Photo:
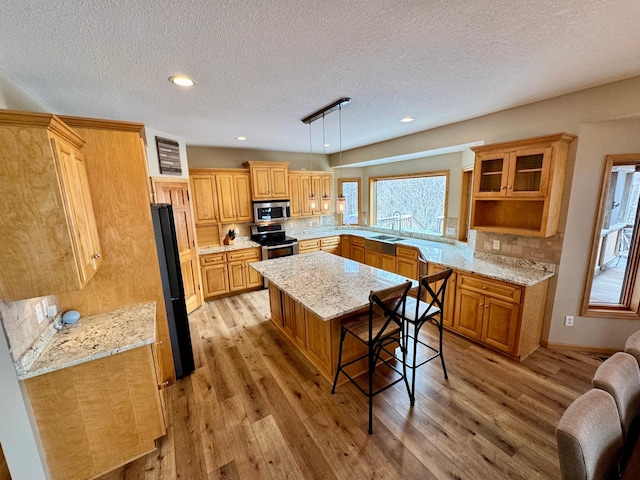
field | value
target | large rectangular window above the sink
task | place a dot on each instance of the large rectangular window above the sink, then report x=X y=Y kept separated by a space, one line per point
x=415 y=203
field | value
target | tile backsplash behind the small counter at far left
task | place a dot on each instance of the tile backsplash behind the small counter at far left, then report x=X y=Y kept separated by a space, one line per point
x=21 y=323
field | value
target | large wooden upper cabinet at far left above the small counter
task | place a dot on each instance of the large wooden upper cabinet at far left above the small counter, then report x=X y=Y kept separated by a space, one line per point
x=50 y=241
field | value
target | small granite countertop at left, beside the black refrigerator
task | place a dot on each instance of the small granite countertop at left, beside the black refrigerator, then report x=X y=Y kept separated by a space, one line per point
x=93 y=337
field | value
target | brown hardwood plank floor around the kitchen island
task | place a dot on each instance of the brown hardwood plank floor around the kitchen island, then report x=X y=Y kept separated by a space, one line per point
x=256 y=409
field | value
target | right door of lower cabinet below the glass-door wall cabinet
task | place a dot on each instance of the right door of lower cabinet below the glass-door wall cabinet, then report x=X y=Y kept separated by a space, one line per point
x=500 y=324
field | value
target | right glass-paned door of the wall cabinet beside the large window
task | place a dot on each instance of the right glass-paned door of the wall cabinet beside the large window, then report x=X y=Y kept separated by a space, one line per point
x=529 y=173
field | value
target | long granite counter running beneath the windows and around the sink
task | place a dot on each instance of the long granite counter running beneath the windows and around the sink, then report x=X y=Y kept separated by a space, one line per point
x=458 y=256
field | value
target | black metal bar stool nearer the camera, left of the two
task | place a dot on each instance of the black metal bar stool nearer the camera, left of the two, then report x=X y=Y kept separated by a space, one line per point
x=378 y=328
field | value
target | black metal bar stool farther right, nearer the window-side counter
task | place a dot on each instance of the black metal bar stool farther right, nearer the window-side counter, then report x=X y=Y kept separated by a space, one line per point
x=428 y=306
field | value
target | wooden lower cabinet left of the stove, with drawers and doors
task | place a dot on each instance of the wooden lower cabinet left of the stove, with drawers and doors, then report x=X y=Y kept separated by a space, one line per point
x=229 y=272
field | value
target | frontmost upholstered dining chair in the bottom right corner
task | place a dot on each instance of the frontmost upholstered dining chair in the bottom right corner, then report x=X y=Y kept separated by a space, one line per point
x=590 y=438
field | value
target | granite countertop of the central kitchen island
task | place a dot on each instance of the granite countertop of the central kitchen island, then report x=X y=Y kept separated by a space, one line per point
x=327 y=285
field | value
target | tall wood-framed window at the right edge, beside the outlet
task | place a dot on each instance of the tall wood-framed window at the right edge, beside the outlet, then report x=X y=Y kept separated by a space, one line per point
x=612 y=287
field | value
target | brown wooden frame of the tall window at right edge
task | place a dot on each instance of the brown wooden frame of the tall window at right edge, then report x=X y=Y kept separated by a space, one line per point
x=629 y=308
